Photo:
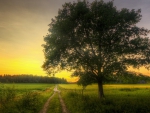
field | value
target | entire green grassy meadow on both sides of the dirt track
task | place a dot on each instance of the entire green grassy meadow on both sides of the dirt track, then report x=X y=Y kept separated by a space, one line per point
x=119 y=98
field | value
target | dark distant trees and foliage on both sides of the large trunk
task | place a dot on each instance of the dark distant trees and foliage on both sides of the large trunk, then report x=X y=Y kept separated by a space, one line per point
x=125 y=78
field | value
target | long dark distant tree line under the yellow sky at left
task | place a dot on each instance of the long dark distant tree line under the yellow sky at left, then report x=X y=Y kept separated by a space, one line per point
x=30 y=79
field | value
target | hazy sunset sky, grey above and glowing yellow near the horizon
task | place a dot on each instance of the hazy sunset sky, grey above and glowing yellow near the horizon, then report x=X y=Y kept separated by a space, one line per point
x=23 y=23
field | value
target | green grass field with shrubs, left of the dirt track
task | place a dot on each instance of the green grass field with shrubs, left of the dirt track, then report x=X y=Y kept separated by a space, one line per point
x=24 y=98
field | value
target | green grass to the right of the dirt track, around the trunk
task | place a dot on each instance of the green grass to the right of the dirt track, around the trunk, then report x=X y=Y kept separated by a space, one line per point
x=118 y=99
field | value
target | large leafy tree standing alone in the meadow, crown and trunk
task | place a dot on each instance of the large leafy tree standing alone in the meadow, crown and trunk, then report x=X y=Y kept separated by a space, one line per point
x=96 y=39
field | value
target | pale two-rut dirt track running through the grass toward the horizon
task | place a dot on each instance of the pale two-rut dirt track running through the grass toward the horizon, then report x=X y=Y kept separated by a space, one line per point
x=45 y=108
